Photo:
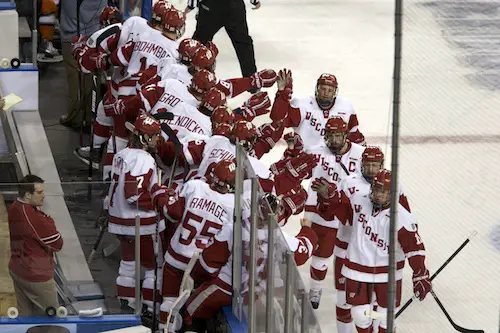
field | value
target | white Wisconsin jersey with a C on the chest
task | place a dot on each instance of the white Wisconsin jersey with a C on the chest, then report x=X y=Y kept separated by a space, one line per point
x=331 y=167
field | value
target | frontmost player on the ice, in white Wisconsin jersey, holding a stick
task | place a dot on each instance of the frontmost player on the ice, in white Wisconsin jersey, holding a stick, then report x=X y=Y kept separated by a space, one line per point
x=365 y=269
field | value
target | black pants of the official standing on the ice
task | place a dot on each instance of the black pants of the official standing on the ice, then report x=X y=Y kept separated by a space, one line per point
x=230 y=14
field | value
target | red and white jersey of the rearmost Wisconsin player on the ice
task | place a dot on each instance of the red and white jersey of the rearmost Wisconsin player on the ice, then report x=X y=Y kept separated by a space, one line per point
x=309 y=120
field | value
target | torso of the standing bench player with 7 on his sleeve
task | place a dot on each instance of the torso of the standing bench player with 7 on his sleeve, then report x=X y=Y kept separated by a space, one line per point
x=129 y=162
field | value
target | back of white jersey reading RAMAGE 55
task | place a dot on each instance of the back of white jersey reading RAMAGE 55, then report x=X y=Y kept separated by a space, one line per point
x=206 y=211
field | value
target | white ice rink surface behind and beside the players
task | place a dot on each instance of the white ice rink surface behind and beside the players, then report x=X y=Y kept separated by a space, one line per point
x=449 y=127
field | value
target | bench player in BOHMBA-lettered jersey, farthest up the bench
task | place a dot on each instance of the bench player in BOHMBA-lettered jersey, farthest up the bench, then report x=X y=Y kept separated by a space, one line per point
x=123 y=81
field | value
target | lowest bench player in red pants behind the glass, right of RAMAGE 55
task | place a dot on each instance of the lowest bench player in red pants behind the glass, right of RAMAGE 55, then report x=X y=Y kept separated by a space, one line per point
x=213 y=271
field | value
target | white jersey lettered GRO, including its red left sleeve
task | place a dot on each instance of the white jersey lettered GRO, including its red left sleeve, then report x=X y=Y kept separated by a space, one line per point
x=165 y=95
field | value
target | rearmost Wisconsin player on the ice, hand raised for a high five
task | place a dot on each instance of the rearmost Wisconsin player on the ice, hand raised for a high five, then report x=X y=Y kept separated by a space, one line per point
x=308 y=116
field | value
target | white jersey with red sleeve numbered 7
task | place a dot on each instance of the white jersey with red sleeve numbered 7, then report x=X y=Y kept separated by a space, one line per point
x=133 y=176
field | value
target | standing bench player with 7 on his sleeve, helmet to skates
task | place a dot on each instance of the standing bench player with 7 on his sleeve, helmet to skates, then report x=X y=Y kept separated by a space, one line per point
x=134 y=190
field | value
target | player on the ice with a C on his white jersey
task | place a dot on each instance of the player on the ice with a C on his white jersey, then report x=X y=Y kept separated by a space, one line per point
x=339 y=159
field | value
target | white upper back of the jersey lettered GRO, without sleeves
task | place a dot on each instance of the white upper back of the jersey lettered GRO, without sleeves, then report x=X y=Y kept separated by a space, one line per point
x=174 y=92
